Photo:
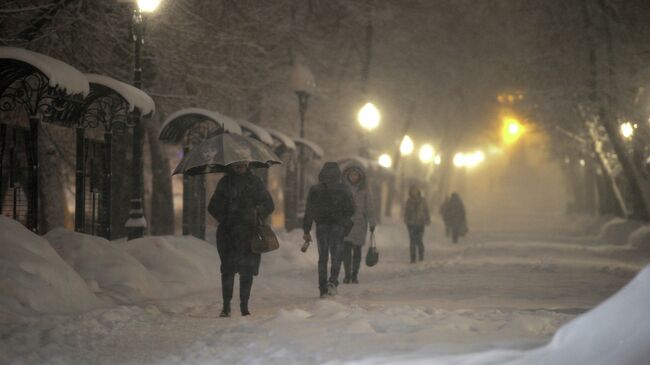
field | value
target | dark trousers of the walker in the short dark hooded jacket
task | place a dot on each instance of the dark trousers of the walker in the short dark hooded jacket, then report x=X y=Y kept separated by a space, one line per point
x=330 y=244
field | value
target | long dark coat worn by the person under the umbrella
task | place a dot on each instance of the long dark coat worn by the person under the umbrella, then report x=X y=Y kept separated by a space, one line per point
x=235 y=204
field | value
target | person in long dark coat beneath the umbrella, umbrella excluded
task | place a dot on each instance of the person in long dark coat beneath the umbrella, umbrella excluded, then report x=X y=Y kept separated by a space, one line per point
x=239 y=201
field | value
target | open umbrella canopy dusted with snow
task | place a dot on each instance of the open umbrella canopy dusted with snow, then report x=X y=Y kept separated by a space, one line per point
x=216 y=153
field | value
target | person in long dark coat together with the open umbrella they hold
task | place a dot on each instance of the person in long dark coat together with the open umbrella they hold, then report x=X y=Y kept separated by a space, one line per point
x=239 y=203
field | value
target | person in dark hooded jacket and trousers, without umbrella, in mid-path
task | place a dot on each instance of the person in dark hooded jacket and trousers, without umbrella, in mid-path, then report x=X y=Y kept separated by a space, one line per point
x=330 y=205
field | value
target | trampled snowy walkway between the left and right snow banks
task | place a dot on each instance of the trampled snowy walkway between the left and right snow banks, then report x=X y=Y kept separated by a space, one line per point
x=508 y=295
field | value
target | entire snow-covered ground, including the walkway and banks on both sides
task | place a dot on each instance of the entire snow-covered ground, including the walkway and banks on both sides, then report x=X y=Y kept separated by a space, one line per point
x=490 y=300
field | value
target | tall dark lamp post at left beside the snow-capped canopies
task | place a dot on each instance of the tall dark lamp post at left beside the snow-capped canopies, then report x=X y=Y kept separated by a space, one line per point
x=136 y=224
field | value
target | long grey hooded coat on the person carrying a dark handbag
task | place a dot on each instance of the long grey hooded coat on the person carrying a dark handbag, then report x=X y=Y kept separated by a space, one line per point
x=364 y=214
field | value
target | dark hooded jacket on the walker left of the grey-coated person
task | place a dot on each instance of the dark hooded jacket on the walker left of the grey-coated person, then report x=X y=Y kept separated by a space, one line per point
x=329 y=201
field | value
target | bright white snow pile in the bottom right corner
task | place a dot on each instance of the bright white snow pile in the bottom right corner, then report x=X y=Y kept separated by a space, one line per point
x=615 y=332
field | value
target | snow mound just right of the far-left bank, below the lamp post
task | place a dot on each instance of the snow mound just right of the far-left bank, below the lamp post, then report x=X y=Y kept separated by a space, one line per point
x=108 y=269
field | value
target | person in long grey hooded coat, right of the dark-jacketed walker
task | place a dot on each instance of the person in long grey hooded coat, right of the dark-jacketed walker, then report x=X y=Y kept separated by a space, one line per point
x=363 y=219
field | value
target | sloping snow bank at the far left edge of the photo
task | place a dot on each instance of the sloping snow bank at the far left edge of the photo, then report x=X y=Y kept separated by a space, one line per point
x=33 y=278
